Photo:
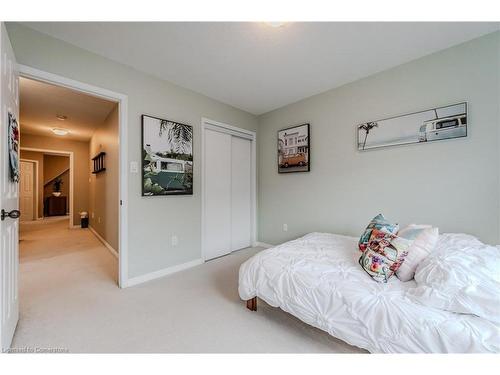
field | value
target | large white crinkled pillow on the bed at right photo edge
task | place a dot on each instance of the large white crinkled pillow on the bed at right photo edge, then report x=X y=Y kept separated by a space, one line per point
x=463 y=277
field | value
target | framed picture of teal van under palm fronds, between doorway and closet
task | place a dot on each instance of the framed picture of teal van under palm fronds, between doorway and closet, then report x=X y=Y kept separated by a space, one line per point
x=167 y=157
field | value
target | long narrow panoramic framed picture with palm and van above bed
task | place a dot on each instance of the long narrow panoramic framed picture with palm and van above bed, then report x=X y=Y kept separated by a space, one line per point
x=425 y=126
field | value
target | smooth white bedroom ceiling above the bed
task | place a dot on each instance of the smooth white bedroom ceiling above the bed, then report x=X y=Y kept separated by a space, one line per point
x=256 y=67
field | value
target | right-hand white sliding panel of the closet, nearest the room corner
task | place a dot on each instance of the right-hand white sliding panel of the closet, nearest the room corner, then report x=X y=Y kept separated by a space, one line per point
x=241 y=189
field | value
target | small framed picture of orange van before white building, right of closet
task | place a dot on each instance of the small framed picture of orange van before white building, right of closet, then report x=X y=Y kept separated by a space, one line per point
x=294 y=149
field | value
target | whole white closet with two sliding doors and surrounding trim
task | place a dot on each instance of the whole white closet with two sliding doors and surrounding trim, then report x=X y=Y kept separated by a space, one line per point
x=228 y=189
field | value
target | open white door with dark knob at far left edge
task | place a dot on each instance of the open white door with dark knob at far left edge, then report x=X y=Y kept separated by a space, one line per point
x=9 y=192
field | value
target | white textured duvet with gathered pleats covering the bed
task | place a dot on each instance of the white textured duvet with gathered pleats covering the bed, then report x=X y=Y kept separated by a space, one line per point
x=317 y=278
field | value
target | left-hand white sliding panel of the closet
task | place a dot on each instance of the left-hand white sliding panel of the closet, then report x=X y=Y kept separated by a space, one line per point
x=217 y=194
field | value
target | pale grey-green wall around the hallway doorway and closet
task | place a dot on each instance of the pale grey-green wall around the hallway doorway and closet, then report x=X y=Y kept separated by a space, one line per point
x=152 y=220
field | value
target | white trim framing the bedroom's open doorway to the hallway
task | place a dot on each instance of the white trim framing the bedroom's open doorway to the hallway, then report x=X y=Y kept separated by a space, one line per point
x=122 y=100
